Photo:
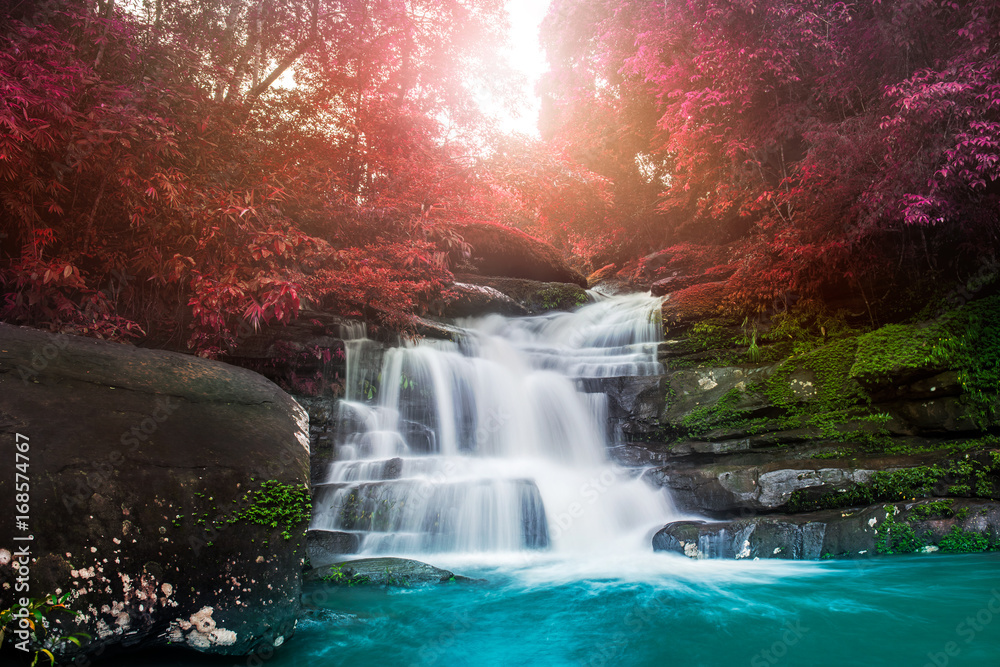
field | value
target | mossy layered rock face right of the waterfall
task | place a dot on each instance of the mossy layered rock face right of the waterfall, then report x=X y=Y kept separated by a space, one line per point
x=761 y=430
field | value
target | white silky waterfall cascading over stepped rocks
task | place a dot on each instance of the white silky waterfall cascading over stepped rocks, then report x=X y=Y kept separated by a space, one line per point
x=489 y=444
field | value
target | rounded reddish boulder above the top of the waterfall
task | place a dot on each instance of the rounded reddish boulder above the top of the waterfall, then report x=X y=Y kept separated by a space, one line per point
x=504 y=251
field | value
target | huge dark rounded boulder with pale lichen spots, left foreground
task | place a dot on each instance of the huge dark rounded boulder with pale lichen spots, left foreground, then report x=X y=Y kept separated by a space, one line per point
x=151 y=476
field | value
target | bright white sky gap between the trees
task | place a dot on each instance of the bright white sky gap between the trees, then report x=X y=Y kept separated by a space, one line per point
x=527 y=58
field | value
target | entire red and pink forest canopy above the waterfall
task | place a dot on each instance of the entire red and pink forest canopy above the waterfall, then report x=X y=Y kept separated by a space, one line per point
x=170 y=169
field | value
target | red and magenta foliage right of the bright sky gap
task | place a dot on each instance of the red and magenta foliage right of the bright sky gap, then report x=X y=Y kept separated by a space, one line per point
x=837 y=141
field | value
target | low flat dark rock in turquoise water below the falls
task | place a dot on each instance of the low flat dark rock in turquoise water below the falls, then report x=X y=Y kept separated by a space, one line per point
x=385 y=571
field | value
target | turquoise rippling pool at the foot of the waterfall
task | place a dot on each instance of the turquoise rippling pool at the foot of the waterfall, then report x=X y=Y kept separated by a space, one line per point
x=666 y=610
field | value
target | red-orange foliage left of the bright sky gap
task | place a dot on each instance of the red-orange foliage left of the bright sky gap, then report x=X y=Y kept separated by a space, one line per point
x=152 y=180
